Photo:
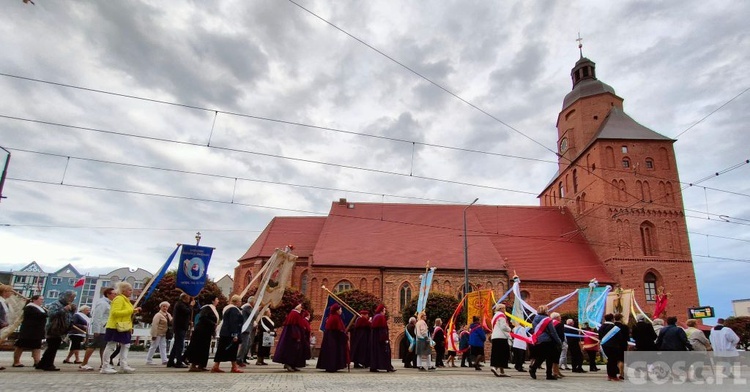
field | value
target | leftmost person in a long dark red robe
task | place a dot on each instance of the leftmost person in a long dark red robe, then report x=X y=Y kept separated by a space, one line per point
x=294 y=341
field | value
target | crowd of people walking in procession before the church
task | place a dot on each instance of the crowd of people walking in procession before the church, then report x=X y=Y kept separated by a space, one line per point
x=549 y=343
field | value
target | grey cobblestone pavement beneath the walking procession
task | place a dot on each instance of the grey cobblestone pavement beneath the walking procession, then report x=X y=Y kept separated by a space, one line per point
x=275 y=378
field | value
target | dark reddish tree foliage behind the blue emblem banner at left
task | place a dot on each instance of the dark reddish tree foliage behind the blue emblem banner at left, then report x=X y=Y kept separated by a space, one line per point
x=167 y=291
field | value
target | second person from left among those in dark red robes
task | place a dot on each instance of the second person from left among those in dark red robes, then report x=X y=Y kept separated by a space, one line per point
x=334 y=350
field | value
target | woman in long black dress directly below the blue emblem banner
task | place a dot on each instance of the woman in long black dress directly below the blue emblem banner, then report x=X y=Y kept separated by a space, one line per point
x=205 y=330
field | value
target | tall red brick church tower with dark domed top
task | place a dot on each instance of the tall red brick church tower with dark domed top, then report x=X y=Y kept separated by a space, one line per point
x=619 y=180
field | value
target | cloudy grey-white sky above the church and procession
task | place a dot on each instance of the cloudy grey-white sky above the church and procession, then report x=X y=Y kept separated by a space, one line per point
x=135 y=124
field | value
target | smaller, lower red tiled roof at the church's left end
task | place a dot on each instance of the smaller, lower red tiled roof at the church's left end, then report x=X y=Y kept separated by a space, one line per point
x=301 y=232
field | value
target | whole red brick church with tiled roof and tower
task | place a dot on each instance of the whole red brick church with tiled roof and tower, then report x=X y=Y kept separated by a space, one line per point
x=613 y=211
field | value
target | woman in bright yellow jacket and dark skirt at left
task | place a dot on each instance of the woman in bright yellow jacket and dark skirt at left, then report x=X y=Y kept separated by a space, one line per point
x=120 y=328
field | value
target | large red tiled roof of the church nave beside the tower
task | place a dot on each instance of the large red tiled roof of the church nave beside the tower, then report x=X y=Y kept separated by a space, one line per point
x=539 y=243
